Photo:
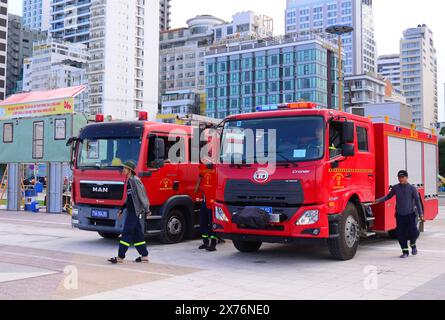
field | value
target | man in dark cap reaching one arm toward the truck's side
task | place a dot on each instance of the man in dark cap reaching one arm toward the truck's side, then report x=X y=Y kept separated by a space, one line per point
x=408 y=199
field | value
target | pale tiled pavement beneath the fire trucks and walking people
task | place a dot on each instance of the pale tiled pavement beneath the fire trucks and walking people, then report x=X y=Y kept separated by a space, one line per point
x=35 y=250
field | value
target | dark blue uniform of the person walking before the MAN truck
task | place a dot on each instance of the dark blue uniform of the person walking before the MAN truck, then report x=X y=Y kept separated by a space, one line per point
x=133 y=233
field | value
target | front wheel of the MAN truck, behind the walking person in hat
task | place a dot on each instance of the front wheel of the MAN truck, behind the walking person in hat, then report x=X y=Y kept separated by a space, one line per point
x=173 y=227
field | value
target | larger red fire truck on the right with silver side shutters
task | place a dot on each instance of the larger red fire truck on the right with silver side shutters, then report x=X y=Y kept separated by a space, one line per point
x=330 y=166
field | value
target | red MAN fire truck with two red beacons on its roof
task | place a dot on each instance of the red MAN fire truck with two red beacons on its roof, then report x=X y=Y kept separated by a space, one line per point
x=99 y=189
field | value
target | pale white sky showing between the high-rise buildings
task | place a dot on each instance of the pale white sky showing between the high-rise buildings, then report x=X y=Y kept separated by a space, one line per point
x=391 y=17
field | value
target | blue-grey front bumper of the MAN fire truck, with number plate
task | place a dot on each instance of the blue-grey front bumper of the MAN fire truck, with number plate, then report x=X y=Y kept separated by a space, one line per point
x=97 y=219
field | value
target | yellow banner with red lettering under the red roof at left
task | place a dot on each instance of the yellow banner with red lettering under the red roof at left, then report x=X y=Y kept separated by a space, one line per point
x=37 y=109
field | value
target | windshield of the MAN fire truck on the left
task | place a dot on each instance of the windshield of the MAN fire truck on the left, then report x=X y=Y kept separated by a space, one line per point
x=107 y=153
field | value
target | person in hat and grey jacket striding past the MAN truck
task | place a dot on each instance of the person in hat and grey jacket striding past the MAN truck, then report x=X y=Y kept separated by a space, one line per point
x=137 y=206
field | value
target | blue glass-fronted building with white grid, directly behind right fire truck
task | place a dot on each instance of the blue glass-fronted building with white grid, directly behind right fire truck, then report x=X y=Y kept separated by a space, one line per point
x=243 y=75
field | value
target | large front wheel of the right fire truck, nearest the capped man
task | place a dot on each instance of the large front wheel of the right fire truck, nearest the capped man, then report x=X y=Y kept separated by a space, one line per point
x=344 y=247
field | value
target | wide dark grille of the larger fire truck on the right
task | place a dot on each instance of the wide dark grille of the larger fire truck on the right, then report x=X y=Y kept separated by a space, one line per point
x=275 y=192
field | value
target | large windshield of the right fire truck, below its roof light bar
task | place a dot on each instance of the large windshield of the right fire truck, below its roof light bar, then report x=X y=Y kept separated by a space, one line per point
x=292 y=139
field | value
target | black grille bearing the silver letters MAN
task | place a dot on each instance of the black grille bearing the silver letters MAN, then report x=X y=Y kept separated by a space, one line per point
x=112 y=191
